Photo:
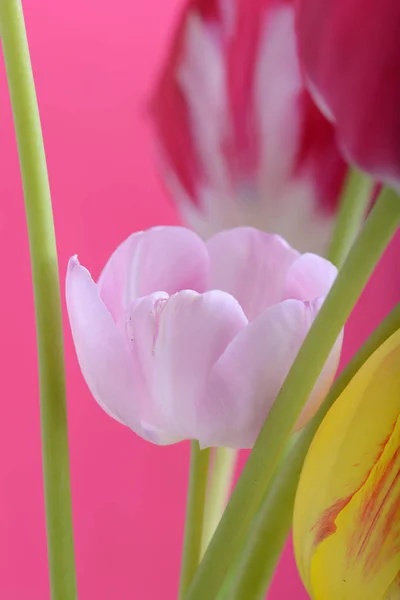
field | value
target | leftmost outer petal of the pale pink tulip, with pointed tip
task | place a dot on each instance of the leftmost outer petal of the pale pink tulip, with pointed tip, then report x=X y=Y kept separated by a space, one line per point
x=110 y=371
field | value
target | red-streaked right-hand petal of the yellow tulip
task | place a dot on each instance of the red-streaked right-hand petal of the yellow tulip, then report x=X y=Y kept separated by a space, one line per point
x=364 y=552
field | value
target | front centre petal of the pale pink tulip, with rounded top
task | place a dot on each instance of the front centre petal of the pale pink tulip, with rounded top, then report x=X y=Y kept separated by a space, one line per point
x=194 y=330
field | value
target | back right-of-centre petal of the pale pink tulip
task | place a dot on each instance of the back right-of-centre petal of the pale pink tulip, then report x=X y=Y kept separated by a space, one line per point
x=251 y=265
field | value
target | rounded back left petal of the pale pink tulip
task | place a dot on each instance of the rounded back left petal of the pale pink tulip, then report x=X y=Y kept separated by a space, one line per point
x=165 y=259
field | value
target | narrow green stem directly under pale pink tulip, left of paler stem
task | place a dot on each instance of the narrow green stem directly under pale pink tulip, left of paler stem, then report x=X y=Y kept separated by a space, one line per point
x=199 y=461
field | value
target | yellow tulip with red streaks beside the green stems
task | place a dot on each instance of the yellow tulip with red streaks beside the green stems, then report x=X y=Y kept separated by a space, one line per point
x=347 y=510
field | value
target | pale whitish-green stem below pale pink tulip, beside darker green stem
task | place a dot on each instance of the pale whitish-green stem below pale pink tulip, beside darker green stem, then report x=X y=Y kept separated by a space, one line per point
x=221 y=472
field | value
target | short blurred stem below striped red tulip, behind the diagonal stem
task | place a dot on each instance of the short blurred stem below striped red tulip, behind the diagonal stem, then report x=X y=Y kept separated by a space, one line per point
x=353 y=208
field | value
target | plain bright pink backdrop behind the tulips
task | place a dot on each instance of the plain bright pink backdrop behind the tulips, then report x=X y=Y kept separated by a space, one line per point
x=94 y=63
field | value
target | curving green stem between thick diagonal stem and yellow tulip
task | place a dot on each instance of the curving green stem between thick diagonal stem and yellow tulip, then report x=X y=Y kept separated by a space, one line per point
x=270 y=528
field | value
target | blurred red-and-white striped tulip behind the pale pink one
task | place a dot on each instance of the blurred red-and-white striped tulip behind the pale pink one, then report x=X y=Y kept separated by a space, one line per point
x=240 y=140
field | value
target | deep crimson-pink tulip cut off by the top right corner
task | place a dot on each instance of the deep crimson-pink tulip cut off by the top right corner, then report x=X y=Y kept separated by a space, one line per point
x=351 y=55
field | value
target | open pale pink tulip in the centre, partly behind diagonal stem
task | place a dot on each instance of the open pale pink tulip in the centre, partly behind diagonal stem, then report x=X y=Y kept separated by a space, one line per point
x=182 y=339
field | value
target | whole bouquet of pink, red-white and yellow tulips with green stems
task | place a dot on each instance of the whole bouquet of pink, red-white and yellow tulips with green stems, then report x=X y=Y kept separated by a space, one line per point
x=277 y=129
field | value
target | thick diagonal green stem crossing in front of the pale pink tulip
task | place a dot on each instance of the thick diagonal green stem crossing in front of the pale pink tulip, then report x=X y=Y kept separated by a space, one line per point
x=246 y=498
